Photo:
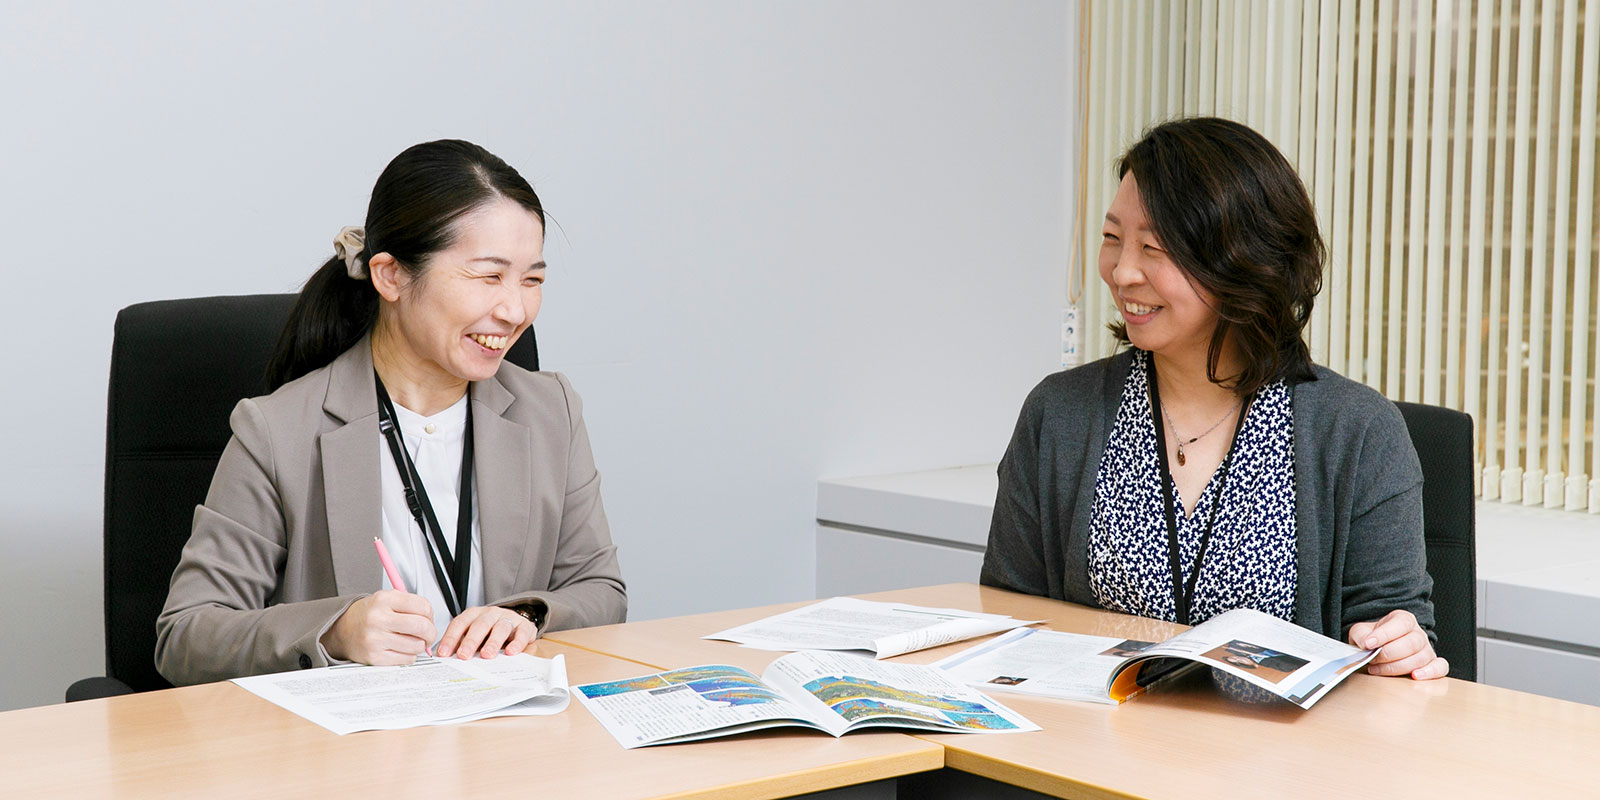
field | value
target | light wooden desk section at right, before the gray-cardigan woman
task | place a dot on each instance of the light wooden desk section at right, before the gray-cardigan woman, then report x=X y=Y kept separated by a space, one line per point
x=1369 y=737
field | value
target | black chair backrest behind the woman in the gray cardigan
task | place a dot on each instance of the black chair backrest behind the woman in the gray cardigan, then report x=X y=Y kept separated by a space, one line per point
x=1444 y=446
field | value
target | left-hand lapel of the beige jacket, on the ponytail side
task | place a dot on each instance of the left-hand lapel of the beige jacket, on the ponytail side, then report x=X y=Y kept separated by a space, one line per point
x=350 y=471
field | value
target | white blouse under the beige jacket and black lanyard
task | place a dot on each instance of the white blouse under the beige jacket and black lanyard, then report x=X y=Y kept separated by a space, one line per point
x=434 y=444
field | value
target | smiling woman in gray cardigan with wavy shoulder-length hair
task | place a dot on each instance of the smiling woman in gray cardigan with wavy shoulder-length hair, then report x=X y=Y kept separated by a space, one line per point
x=1212 y=466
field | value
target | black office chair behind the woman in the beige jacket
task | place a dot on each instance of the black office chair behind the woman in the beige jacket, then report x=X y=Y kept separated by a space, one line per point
x=177 y=372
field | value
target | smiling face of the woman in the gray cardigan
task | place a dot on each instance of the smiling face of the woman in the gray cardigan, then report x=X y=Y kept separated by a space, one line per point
x=1164 y=310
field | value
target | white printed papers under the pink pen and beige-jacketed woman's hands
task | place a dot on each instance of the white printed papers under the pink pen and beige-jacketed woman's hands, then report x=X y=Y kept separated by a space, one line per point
x=431 y=692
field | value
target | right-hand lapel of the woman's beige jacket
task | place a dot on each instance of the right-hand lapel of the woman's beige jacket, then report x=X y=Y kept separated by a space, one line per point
x=503 y=468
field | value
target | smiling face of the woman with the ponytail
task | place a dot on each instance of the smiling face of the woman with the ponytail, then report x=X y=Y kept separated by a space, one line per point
x=473 y=300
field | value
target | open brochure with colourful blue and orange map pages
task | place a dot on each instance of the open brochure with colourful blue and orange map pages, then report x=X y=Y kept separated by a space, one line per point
x=830 y=692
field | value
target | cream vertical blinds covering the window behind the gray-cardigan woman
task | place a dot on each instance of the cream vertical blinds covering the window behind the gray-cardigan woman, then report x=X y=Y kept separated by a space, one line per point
x=1450 y=153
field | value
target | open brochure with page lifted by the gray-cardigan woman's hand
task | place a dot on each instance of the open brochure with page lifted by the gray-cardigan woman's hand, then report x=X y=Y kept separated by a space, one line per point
x=1263 y=650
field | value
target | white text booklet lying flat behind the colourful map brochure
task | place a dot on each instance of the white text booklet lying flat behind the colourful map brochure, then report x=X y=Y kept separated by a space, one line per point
x=882 y=630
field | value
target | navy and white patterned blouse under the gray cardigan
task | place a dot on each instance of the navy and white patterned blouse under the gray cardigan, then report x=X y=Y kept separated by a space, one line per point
x=1250 y=562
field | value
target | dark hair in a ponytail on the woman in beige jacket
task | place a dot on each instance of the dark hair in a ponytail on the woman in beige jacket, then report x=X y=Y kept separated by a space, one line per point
x=412 y=215
